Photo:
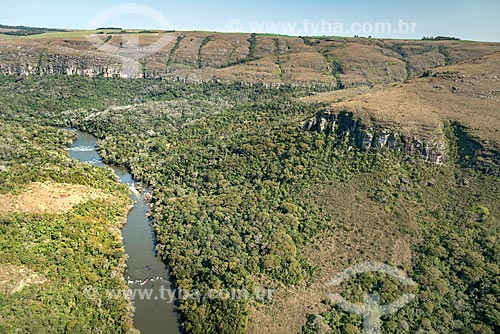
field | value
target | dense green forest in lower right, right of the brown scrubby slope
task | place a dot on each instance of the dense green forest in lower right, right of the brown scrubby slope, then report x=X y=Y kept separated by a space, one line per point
x=456 y=258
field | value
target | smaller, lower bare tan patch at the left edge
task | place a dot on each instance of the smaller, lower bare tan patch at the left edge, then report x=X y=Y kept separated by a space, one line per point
x=14 y=278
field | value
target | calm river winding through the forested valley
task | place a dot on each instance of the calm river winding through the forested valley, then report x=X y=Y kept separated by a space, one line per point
x=146 y=273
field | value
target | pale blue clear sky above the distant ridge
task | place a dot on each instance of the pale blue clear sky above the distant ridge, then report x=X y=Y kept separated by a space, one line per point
x=468 y=20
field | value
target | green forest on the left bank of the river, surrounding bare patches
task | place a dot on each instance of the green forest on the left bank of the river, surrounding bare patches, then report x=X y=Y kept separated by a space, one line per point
x=76 y=251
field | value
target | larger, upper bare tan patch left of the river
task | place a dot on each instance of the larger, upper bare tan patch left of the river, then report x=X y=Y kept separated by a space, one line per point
x=48 y=197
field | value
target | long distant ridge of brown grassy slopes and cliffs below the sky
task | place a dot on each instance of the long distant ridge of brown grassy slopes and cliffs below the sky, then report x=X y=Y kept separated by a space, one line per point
x=249 y=58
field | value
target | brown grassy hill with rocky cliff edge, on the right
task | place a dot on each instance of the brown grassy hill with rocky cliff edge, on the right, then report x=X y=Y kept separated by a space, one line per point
x=448 y=114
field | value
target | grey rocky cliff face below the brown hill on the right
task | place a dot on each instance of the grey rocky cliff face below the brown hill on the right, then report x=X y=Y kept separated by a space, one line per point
x=344 y=126
